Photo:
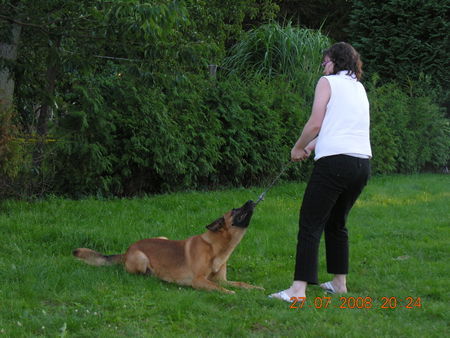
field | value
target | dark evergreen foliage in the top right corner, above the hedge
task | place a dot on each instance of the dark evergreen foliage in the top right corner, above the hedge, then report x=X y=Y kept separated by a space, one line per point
x=400 y=39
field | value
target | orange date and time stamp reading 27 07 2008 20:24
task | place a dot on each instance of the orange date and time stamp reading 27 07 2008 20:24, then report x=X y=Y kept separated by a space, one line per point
x=357 y=303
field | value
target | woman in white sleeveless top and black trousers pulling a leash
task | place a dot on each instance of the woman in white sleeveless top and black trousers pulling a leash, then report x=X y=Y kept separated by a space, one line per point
x=338 y=132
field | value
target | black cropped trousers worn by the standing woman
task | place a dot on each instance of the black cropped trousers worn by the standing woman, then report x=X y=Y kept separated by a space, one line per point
x=335 y=184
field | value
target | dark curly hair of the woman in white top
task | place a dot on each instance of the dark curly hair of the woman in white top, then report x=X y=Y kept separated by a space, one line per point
x=345 y=57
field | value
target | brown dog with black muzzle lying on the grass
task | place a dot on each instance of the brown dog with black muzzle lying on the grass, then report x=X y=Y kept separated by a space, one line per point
x=199 y=261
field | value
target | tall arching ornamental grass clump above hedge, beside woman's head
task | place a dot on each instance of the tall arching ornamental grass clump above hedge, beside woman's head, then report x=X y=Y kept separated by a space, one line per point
x=274 y=50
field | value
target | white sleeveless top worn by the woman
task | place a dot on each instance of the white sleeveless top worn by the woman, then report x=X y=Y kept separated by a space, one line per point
x=345 y=128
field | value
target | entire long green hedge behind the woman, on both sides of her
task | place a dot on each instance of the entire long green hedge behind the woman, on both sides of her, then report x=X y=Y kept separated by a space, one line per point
x=198 y=133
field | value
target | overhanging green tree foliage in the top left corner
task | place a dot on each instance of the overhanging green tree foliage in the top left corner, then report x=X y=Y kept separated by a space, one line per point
x=62 y=39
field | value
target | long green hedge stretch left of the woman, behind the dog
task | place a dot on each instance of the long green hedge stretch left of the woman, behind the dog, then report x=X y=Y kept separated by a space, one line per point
x=192 y=132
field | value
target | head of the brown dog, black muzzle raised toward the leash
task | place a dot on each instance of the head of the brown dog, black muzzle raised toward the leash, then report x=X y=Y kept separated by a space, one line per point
x=238 y=219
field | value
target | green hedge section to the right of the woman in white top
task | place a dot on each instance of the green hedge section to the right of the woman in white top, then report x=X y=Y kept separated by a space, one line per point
x=408 y=132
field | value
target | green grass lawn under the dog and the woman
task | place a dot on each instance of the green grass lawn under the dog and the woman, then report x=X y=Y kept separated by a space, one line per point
x=399 y=247
